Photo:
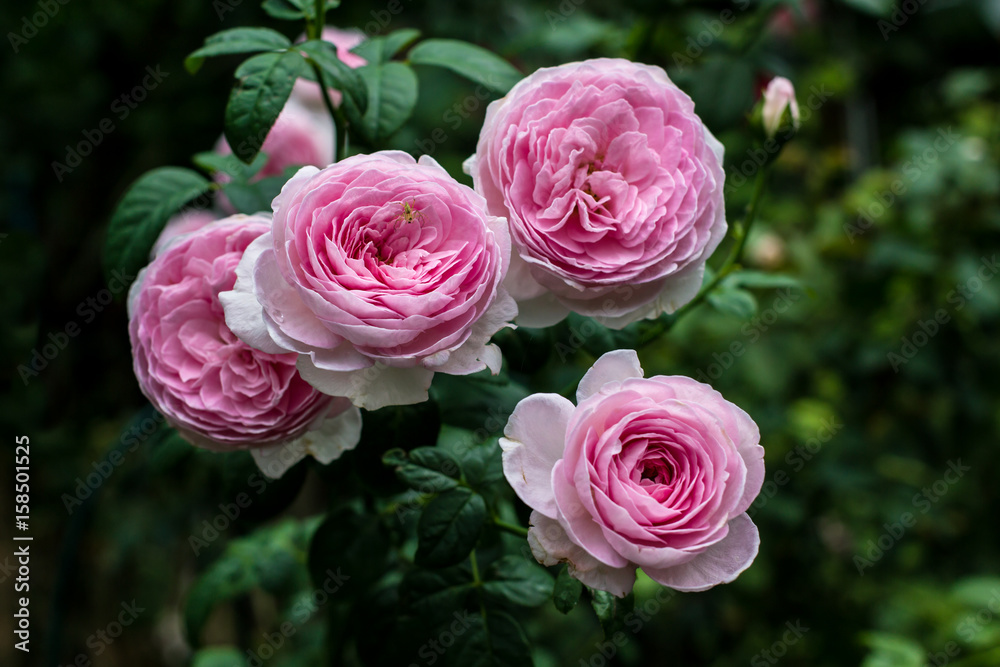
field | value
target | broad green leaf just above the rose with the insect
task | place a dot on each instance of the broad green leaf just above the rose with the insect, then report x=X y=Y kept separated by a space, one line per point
x=392 y=96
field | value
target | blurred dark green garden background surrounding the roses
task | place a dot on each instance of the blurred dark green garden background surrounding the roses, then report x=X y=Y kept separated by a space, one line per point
x=876 y=388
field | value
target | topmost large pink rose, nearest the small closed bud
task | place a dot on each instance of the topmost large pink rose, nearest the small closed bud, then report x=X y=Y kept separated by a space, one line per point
x=613 y=189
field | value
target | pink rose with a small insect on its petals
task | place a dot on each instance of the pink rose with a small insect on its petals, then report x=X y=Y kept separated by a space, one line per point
x=379 y=271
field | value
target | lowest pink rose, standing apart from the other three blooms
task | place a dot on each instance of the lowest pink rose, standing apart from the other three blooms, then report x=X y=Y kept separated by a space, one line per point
x=654 y=473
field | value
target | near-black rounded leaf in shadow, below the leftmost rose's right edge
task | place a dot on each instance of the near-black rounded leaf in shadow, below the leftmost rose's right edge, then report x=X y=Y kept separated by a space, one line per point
x=348 y=551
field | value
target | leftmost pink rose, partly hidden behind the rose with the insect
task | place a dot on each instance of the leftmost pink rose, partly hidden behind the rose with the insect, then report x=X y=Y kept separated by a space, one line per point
x=216 y=390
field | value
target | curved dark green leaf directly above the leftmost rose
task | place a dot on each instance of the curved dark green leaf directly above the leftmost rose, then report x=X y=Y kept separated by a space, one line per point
x=142 y=213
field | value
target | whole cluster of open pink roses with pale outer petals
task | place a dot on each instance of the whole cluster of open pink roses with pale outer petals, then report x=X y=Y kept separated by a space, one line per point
x=598 y=190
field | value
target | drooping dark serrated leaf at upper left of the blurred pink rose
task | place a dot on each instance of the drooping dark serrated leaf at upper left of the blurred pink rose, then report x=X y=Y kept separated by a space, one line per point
x=264 y=84
